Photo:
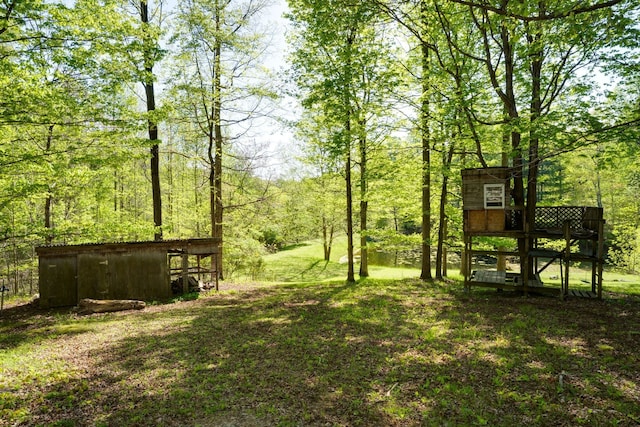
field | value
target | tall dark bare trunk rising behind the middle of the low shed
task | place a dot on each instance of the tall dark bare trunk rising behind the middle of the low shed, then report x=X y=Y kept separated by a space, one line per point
x=151 y=124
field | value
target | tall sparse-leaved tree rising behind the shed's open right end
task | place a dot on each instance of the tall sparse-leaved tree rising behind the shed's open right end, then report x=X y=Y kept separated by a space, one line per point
x=215 y=81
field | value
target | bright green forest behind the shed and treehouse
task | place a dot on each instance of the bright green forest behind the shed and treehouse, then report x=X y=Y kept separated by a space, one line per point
x=131 y=121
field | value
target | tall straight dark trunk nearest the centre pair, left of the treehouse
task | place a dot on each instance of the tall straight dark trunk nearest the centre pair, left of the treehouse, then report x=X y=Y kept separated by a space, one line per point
x=426 y=164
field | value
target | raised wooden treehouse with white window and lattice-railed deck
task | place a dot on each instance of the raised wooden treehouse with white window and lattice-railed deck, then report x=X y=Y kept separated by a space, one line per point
x=558 y=234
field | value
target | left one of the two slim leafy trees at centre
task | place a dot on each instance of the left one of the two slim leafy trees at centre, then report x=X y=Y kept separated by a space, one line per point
x=323 y=63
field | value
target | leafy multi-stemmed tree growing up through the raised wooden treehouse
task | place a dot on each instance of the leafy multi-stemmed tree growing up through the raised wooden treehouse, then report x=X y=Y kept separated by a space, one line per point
x=531 y=53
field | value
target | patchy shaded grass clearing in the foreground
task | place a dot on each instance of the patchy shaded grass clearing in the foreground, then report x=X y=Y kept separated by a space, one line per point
x=376 y=353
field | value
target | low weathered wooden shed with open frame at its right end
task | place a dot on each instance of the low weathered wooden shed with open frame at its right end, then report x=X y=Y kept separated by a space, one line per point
x=125 y=270
